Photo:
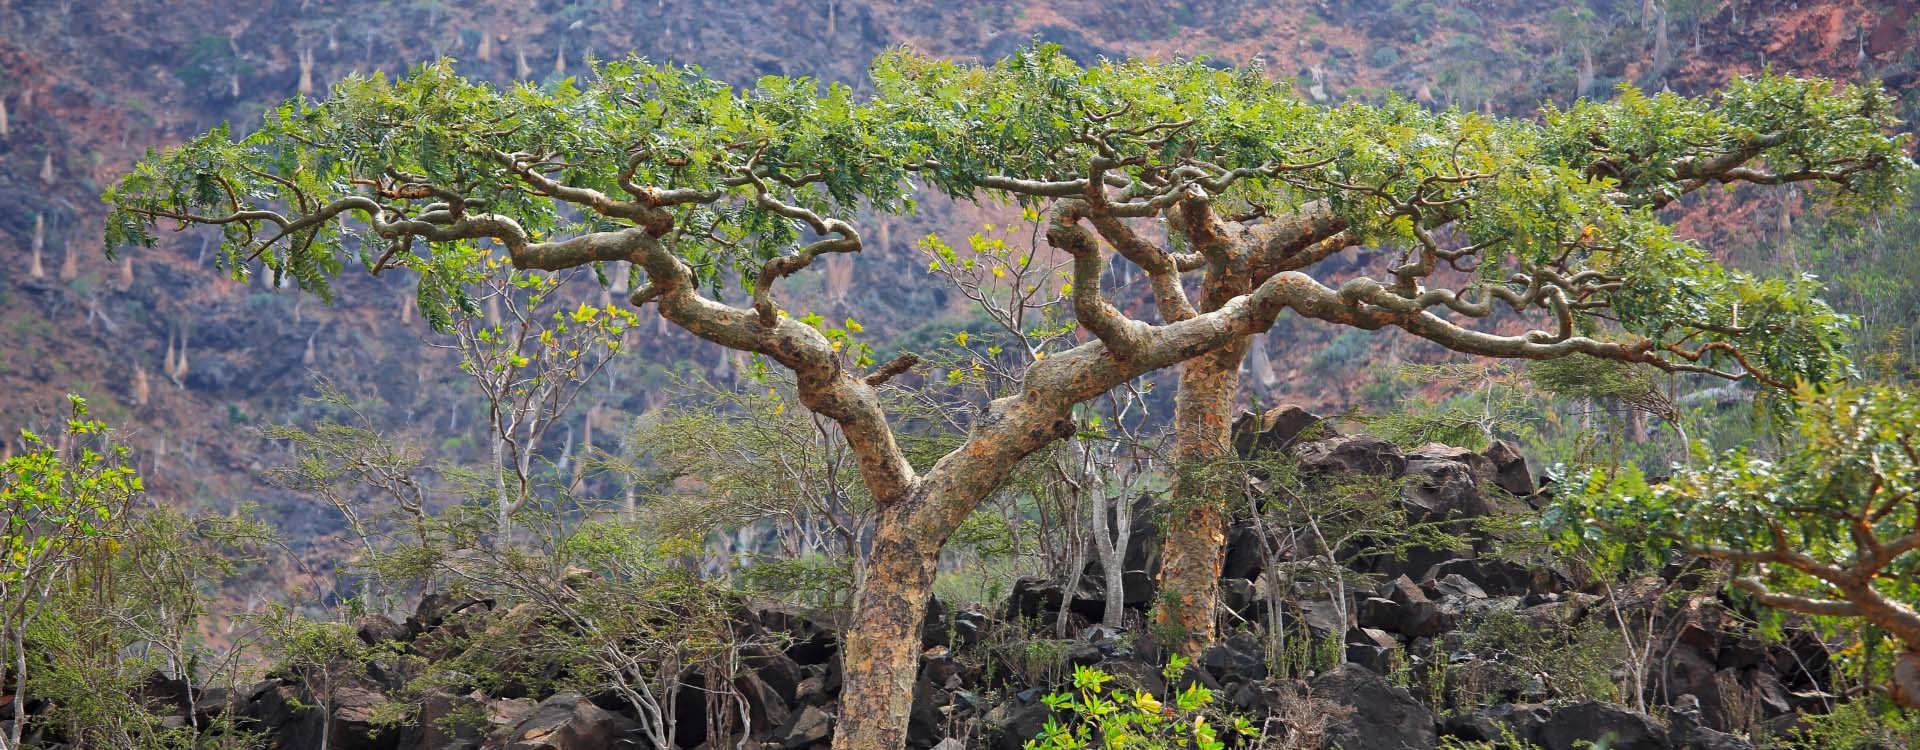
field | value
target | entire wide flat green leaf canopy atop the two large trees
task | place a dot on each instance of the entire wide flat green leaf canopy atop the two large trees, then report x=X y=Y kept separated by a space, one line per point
x=435 y=166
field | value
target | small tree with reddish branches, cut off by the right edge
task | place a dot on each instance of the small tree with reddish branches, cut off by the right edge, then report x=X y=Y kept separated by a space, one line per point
x=1829 y=530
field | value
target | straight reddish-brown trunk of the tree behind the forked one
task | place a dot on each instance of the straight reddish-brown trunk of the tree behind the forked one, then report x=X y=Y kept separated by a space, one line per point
x=1197 y=540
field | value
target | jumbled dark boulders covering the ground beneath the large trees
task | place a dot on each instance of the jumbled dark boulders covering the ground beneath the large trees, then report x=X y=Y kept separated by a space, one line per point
x=1447 y=645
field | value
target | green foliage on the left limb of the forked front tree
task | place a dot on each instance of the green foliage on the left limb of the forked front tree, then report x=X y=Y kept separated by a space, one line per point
x=631 y=122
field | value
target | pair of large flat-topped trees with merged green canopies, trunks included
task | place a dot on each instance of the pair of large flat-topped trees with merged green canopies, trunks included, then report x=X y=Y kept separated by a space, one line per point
x=706 y=193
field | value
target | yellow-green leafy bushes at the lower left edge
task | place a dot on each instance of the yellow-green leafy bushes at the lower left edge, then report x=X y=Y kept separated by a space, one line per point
x=110 y=596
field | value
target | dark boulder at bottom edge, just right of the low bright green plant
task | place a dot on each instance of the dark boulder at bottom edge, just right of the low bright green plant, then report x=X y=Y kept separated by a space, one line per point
x=1385 y=718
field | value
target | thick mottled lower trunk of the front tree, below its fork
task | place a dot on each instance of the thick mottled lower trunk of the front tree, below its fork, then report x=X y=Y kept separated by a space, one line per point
x=882 y=651
